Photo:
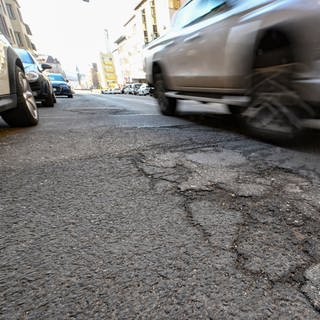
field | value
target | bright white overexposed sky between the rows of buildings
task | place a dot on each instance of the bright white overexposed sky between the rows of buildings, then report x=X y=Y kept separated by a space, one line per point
x=73 y=30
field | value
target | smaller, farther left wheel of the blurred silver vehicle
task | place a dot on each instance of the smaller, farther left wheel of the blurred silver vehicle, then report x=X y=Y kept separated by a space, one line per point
x=167 y=105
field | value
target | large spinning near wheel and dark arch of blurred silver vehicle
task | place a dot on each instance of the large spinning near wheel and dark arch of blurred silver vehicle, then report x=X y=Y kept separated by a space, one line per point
x=275 y=110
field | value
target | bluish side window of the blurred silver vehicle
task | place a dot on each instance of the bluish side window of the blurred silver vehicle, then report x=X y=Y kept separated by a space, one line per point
x=197 y=10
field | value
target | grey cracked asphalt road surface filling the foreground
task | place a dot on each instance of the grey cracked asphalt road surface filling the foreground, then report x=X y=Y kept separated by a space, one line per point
x=109 y=210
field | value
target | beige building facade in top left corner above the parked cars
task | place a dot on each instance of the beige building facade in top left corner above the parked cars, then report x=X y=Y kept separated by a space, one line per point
x=13 y=27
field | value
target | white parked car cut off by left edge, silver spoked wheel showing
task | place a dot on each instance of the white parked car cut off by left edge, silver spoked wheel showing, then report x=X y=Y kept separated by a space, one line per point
x=17 y=104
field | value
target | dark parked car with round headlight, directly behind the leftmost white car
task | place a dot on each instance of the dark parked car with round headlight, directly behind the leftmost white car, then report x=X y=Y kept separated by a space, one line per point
x=40 y=84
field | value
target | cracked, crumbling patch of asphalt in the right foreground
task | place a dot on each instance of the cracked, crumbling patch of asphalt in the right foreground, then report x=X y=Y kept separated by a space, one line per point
x=268 y=215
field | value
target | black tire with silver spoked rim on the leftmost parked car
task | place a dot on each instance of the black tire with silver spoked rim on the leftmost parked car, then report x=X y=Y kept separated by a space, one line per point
x=26 y=112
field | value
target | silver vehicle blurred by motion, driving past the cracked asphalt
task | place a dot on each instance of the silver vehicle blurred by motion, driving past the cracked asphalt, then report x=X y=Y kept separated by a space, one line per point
x=261 y=58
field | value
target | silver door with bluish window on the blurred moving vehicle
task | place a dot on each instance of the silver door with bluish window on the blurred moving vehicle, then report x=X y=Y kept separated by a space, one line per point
x=196 y=58
